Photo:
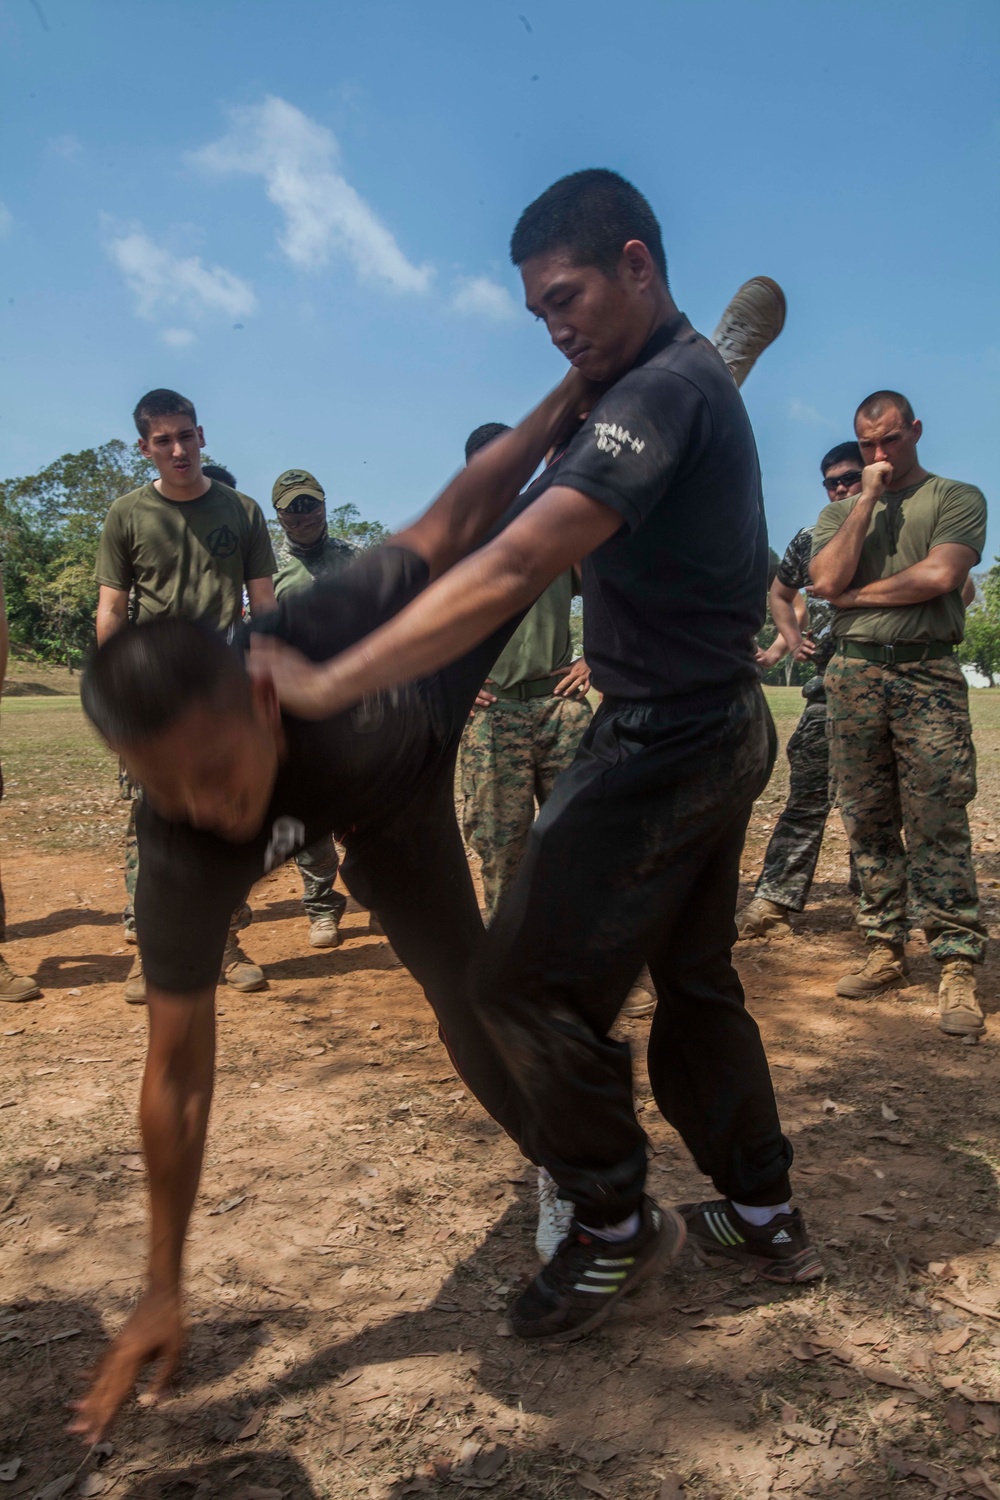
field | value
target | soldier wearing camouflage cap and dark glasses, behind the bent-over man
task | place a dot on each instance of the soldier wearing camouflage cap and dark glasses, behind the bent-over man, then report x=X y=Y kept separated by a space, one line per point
x=310 y=553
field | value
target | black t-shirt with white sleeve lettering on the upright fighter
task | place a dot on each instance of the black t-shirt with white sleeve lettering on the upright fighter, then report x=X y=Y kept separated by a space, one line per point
x=674 y=601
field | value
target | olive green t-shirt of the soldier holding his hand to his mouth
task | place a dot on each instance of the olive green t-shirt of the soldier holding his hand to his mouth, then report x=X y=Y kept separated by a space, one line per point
x=903 y=530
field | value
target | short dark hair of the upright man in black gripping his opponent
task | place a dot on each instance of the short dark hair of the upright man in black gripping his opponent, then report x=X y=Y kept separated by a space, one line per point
x=591 y=215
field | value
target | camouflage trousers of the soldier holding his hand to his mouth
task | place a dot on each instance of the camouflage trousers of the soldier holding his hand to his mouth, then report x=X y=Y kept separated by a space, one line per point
x=903 y=770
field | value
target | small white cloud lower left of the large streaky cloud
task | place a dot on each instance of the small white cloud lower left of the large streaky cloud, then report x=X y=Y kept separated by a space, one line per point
x=163 y=280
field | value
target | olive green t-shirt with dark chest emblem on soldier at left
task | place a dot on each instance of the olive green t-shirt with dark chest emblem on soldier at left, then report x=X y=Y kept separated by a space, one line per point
x=185 y=557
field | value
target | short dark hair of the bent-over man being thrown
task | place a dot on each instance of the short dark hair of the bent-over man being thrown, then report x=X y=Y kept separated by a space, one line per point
x=146 y=677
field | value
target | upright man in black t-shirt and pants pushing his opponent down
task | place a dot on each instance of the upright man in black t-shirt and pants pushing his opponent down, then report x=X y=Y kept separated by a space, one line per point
x=636 y=856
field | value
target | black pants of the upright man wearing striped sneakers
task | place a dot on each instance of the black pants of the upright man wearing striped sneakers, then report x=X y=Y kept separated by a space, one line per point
x=636 y=859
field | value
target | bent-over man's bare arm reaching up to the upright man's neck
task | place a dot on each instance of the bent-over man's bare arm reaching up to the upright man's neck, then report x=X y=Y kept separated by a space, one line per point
x=479 y=496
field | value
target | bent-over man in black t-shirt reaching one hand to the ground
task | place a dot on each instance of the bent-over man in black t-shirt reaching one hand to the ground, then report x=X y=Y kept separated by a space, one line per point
x=235 y=788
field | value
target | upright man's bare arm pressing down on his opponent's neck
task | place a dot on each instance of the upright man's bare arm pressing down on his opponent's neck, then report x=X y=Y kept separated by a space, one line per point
x=454 y=614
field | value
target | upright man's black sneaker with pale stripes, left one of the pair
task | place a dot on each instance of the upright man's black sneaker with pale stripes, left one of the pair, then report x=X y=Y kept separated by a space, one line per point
x=587 y=1276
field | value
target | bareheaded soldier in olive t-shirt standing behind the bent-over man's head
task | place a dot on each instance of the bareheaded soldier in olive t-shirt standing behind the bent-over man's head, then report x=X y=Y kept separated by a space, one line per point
x=184 y=545
